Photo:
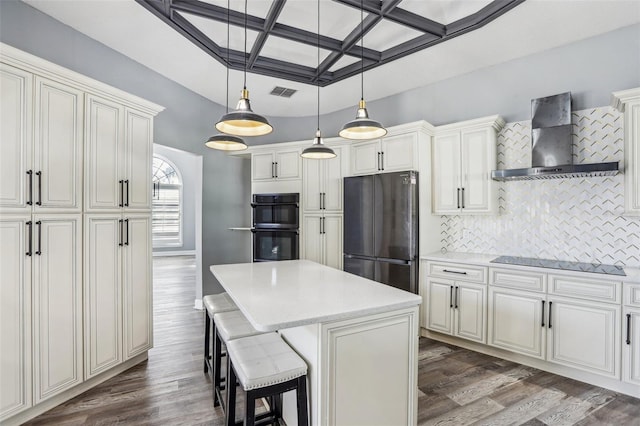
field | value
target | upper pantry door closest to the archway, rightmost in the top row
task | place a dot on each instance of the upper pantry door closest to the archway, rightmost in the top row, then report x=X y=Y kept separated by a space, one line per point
x=138 y=154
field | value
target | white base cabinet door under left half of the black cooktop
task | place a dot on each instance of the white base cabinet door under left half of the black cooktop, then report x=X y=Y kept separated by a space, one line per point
x=517 y=321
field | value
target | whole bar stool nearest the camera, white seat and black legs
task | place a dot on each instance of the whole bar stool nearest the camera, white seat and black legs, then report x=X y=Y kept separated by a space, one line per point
x=265 y=366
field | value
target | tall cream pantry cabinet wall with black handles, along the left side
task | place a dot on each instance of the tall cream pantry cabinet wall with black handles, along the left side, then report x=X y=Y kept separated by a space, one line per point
x=56 y=157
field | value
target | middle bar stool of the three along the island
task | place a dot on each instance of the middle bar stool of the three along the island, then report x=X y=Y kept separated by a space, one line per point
x=228 y=326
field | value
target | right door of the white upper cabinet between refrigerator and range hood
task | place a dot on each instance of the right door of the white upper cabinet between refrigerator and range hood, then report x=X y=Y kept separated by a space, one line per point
x=478 y=155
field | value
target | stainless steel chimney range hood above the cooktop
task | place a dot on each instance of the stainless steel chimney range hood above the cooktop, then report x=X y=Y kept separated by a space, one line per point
x=551 y=155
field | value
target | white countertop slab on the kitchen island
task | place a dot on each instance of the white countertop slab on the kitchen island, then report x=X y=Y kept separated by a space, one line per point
x=285 y=294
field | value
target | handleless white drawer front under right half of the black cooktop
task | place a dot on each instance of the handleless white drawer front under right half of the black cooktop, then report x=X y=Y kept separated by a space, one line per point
x=585 y=288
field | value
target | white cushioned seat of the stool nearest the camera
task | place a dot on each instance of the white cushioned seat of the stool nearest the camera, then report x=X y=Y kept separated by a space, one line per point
x=264 y=360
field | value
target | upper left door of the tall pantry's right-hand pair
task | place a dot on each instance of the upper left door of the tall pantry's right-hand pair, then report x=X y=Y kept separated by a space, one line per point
x=104 y=184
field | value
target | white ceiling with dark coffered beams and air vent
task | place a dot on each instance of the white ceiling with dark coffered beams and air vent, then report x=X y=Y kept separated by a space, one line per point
x=407 y=43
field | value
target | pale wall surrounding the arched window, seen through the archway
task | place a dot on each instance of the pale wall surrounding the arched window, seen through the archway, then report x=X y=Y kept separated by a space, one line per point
x=186 y=164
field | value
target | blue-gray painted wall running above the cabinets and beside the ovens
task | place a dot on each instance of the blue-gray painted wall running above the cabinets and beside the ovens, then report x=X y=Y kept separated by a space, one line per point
x=591 y=69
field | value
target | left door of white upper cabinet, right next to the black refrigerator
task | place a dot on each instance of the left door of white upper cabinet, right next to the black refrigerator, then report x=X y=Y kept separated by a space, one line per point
x=446 y=172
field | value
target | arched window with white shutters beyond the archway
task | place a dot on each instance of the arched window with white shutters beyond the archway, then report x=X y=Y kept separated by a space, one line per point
x=167 y=204
